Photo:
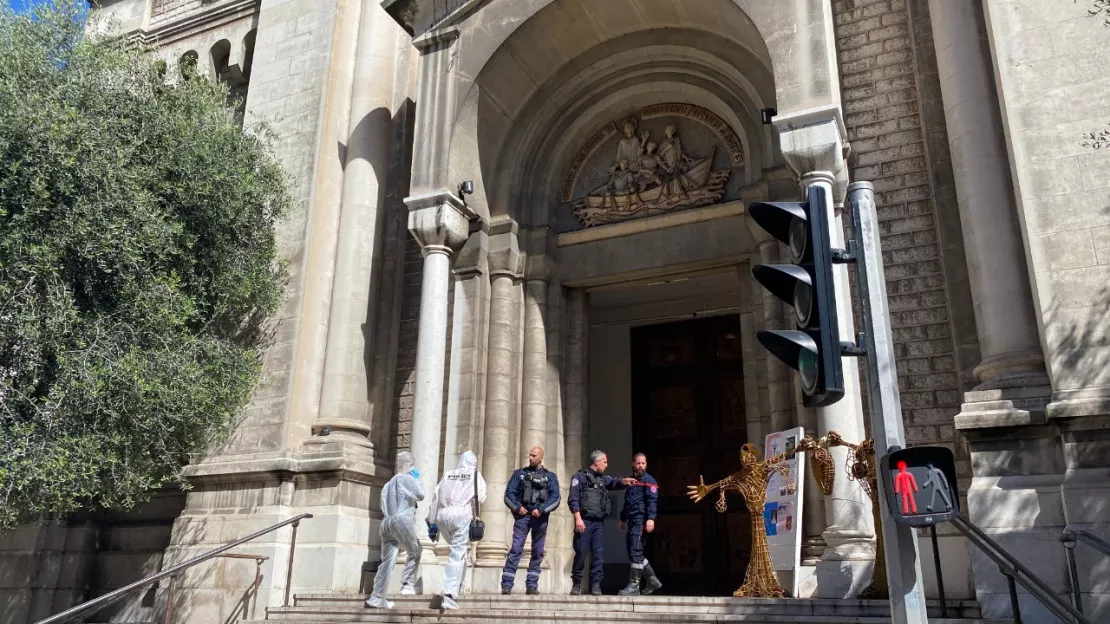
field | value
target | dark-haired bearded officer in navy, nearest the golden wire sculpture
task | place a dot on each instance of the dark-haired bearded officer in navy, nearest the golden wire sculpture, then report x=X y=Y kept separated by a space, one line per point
x=642 y=502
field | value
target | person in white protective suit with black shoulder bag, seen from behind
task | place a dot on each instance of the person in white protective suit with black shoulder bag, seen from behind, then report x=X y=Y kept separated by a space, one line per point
x=452 y=511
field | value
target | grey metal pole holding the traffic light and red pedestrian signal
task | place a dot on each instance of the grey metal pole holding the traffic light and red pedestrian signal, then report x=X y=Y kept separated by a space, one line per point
x=903 y=559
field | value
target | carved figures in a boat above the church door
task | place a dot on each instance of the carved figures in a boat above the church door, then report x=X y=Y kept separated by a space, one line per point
x=649 y=178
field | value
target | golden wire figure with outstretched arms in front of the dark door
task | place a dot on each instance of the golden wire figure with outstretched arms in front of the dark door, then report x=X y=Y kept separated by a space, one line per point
x=760 y=580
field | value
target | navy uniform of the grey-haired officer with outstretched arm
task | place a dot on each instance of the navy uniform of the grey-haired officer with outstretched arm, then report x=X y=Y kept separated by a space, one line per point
x=589 y=491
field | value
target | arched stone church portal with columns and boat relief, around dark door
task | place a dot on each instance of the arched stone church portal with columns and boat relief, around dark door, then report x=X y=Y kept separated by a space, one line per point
x=542 y=106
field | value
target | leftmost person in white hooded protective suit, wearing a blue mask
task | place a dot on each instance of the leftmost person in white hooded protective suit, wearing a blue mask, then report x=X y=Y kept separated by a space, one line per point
x=399 y=526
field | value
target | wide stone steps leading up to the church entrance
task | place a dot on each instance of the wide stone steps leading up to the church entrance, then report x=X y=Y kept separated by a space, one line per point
x=335 y=609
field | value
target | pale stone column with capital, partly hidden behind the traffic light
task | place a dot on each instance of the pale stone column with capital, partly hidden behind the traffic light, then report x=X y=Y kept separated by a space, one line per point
x=813 y=146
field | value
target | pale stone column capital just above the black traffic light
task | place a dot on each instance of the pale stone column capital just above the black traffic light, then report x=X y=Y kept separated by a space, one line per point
x=813 y=144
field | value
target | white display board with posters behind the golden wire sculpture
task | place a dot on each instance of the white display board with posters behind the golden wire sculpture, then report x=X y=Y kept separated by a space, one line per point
x=783 y=509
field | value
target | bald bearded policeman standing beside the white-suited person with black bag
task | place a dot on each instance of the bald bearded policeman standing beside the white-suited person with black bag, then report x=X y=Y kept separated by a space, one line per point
x=532 y=496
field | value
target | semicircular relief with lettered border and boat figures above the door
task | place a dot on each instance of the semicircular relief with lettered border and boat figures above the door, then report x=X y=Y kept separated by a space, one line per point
x=651 y=176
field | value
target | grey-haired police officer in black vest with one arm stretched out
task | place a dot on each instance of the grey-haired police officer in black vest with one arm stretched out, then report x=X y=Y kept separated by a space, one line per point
x=590 y=504
